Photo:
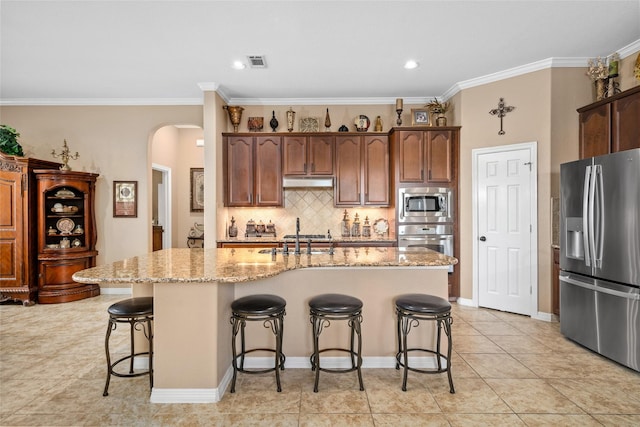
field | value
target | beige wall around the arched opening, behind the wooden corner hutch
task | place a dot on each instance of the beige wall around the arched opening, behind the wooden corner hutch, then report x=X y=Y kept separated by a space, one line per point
x=114 y=142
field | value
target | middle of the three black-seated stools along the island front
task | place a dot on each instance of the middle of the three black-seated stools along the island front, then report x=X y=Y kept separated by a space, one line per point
x=324 y=308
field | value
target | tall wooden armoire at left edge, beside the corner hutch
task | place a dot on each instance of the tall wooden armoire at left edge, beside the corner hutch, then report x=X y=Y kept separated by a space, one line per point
x=19 y=228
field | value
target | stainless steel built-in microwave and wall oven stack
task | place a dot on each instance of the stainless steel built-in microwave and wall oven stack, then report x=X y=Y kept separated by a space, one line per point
x=425 y=219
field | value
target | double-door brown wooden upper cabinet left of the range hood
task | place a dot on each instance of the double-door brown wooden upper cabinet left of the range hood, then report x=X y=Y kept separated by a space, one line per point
x=253 y=170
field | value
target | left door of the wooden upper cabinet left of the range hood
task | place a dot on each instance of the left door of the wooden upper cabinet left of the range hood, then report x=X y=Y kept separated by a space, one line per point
x=239 y=173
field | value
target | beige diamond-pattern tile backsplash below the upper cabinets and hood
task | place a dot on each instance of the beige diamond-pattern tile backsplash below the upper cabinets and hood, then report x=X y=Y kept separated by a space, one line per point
x=314 y=207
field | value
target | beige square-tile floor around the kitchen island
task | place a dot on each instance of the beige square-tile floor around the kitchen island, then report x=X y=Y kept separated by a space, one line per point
x=507 y=369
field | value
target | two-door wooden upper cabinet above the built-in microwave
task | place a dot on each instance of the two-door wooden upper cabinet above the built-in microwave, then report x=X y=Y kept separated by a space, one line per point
x=426 y=157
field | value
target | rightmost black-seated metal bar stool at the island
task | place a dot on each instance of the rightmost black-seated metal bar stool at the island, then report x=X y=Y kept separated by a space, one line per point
x=410 y=309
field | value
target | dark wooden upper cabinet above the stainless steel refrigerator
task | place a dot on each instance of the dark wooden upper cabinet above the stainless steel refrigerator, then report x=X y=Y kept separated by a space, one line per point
x=610 y=125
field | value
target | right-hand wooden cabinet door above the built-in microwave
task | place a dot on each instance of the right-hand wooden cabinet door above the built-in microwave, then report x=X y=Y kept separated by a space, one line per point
x=439 y=156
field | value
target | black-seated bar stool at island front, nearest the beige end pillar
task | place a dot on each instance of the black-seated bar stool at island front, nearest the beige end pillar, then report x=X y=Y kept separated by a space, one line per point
x=267 y=308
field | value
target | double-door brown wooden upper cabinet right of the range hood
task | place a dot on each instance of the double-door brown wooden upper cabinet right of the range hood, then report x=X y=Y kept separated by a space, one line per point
x=362 y=170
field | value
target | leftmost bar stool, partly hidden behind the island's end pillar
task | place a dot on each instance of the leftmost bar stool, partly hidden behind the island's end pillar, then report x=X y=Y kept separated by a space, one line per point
x=138 y=313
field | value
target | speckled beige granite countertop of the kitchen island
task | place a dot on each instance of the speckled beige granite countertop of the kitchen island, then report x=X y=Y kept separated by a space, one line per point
x=244 y=265
